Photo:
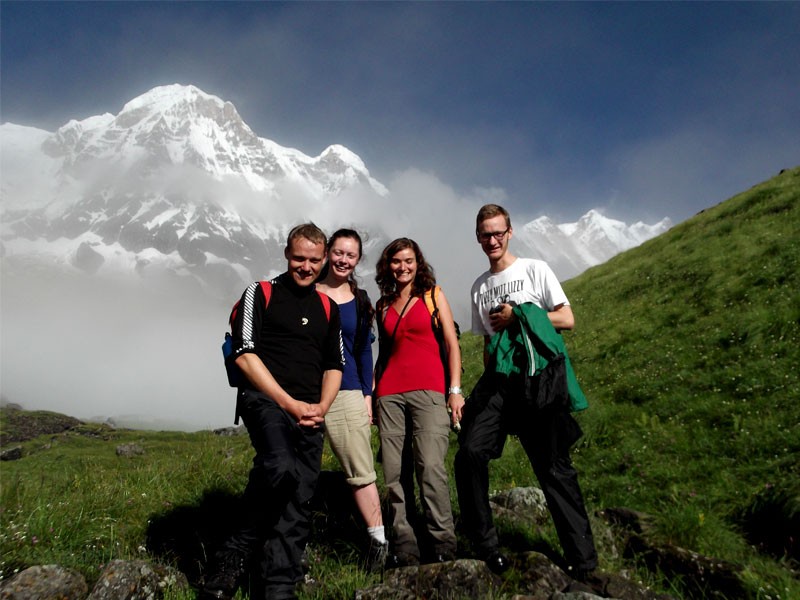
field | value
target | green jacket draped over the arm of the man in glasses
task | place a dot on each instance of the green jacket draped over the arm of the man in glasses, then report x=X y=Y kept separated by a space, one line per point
x=523 y=348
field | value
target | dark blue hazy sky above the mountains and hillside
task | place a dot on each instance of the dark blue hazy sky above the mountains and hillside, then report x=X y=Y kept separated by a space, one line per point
x=643 y=110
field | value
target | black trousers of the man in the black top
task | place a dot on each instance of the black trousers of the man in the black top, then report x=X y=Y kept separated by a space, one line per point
x=280 y=486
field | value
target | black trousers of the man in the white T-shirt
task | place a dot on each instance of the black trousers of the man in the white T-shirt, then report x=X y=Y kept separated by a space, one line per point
x=496 y=409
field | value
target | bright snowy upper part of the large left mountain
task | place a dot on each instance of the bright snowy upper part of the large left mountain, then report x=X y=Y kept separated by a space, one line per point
x=182 y=125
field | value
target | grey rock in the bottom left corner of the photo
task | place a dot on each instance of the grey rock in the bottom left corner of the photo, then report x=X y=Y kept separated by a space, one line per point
x=46 y=582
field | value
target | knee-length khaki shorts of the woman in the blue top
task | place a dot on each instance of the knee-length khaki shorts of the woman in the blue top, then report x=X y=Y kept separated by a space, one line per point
x=348 y=430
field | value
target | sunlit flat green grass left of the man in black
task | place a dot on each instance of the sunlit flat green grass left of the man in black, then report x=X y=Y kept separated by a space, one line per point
x=73 y=501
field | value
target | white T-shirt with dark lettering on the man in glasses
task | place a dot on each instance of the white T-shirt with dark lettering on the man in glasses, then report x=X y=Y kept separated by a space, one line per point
x=525 y=280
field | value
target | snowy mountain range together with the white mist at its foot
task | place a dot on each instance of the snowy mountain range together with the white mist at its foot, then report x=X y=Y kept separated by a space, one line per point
x=110 y=227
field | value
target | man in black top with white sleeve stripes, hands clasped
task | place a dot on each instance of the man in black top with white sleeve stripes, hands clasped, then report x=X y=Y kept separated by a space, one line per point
x=289 y=350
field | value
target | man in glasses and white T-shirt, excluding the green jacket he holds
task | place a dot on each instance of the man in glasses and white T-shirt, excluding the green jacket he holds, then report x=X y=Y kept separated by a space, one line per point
x=496 y=407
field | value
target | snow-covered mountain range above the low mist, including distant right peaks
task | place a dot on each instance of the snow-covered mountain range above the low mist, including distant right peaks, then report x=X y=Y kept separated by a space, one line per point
x=178 y=183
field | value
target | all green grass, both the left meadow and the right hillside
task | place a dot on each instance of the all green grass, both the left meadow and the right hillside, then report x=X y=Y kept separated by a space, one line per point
x=687 y=348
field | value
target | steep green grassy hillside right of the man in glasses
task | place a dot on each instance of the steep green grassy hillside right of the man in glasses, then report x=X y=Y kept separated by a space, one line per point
x=688 y=348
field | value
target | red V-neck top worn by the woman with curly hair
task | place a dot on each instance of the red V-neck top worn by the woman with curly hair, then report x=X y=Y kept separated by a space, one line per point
x=414 y=363
